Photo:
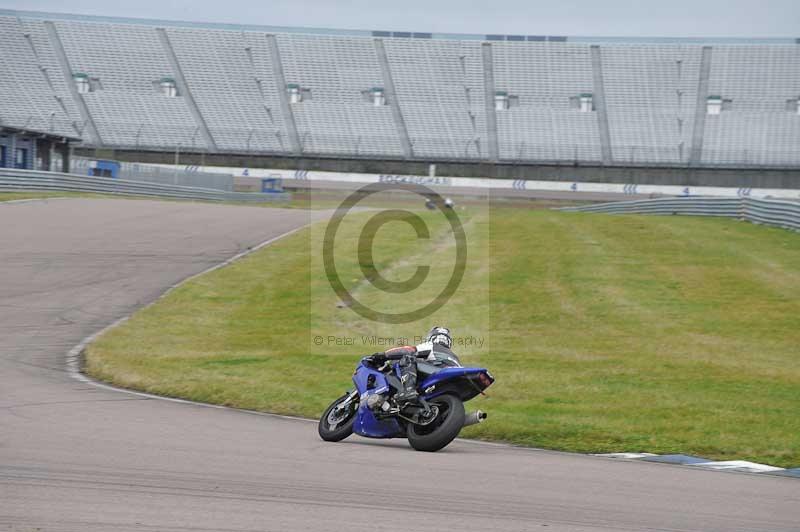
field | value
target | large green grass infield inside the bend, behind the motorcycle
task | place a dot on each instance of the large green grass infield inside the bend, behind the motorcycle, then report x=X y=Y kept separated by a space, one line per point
x=605 y=333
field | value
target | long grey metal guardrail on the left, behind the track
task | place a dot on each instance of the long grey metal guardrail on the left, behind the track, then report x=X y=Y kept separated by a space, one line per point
x=11 y=179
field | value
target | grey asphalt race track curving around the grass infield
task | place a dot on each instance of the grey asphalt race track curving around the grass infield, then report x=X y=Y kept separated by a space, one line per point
x=74 y=457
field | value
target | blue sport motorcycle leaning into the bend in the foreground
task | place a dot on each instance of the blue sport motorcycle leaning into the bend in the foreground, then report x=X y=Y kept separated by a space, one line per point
x=430 y=423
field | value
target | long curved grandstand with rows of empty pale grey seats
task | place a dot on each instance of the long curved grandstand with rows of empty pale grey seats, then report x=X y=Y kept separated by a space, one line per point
x=216 y=88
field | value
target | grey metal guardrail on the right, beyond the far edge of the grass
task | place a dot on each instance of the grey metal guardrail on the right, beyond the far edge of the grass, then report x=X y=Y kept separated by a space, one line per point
x=777 y=213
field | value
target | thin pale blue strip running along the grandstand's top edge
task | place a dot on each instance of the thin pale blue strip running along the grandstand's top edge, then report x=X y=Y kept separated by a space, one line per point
x=401 y=34
